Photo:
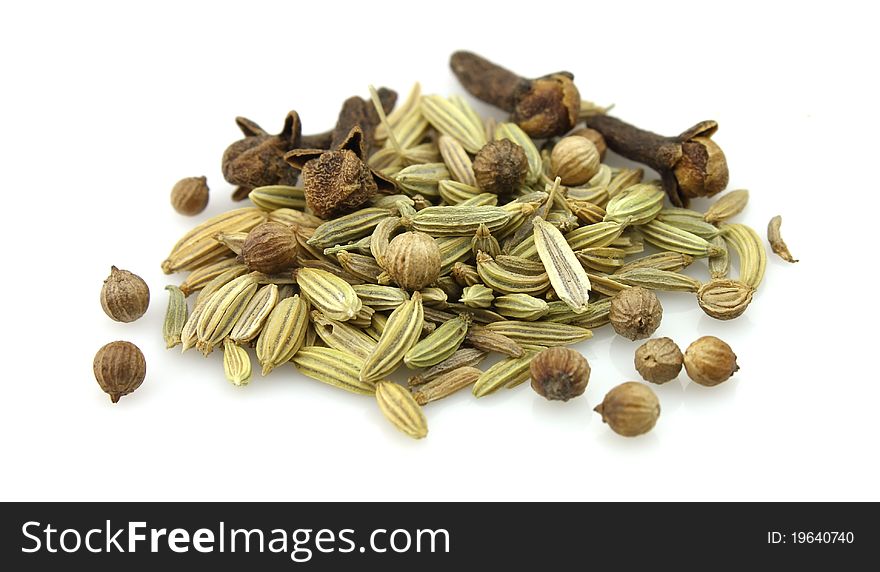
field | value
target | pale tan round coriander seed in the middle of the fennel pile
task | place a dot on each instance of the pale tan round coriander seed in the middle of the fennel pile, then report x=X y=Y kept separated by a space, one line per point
x=413 y=260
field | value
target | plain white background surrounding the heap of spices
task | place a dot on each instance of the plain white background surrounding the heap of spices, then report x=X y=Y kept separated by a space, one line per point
x=106 y=105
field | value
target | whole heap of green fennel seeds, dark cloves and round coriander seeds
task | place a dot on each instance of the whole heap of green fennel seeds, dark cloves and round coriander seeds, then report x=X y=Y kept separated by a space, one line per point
x=425 y=237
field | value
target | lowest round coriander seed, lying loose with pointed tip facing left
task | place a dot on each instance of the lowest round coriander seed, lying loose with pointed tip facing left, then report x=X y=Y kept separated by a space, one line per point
x=630 y=409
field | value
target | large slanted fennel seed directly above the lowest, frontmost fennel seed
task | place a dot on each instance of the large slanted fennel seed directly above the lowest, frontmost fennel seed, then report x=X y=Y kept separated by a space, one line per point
x=401 y=333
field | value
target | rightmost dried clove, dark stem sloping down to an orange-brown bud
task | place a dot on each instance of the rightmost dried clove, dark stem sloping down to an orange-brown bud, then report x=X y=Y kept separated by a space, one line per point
x=690 y=165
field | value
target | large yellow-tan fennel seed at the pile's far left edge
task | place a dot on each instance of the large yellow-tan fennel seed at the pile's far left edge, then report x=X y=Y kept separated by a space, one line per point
x=198 y=247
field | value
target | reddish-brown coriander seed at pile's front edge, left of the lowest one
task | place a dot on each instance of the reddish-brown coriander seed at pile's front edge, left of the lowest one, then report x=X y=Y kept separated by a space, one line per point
x=559 y=373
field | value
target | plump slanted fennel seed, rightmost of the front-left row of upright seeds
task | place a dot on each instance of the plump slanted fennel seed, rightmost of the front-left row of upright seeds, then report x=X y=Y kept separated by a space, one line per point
x=283 y=334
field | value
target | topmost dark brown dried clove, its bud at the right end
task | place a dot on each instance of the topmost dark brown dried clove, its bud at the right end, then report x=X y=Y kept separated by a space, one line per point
x=542 y=107
